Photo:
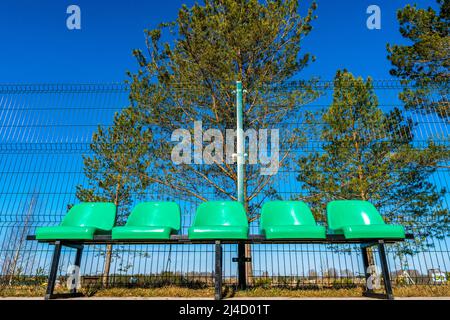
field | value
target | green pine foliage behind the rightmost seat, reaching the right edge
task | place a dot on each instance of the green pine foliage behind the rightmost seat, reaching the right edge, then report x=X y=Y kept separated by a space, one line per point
x=370 y=155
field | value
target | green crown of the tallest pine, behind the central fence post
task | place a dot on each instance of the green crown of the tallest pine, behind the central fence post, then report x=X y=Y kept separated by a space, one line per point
x=212 y=45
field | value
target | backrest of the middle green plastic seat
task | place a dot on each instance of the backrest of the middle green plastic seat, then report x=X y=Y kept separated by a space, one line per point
x=221 y=213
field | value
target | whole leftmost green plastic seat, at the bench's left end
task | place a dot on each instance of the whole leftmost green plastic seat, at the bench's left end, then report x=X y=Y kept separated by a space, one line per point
x=82 y=222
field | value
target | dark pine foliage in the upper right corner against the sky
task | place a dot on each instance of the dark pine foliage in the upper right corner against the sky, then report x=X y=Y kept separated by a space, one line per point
x=425 y=61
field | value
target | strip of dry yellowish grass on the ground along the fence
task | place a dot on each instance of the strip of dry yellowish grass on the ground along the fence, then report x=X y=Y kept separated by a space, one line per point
x=180 y=292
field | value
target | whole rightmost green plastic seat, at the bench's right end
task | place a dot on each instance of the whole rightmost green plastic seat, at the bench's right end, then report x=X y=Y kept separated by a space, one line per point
x=357 y=219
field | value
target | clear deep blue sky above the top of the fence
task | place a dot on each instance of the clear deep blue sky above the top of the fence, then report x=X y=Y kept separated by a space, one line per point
x=37 y=46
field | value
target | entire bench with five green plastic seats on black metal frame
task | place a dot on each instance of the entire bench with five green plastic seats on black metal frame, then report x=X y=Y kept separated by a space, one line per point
x=217 y=223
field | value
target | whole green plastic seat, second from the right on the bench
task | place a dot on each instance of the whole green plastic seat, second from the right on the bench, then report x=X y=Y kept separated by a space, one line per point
x=289 y=220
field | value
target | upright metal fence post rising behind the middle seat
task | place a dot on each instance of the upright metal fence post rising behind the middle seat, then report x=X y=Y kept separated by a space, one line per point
x=240 y=178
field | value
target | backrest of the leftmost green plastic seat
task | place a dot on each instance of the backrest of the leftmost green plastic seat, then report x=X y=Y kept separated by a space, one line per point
x=100 y=215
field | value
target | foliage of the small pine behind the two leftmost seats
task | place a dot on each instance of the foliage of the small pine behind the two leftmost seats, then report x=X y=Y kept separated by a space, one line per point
x=118 y=165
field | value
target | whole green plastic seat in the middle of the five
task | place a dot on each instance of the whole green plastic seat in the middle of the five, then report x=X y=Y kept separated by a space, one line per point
x=219 y=220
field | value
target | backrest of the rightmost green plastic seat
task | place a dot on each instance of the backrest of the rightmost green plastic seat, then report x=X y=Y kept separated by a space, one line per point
x=352 y=212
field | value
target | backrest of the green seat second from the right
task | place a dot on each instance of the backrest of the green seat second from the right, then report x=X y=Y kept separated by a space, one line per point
x=285 y=213
